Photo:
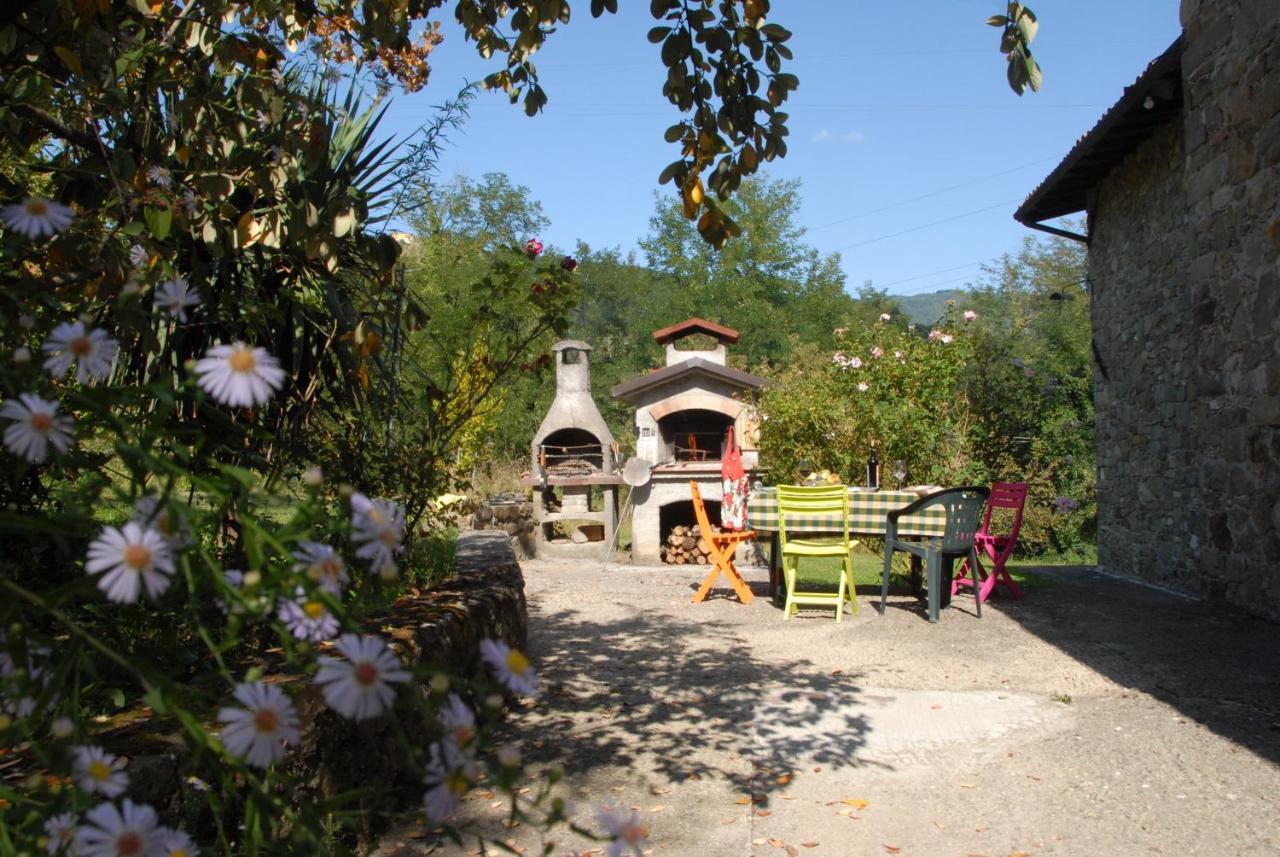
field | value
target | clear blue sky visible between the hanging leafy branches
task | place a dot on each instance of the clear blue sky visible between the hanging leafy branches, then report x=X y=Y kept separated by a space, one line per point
x=912 y=149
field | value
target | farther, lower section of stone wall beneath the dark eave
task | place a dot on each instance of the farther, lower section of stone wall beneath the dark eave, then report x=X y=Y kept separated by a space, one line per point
x=1149 y=511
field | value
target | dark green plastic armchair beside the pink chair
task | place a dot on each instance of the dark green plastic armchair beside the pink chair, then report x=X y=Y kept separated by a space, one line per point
x=964 y=514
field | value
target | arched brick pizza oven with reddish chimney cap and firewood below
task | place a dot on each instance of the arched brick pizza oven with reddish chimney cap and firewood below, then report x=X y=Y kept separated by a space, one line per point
x=684 y=413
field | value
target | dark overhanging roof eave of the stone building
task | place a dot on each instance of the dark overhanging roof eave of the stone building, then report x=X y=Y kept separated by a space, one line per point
x=1121 y=130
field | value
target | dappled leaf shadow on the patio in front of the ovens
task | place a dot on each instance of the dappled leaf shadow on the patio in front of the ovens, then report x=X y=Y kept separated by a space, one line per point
x=687 y=702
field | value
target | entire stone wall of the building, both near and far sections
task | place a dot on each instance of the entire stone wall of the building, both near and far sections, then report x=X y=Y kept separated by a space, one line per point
x=1185 y=263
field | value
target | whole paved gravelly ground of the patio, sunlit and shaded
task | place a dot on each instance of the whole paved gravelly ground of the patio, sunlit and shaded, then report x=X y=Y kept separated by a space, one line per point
x=1096 y=717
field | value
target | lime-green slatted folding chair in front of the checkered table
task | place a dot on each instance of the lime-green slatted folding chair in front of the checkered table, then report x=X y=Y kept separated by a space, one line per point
x=806 y=511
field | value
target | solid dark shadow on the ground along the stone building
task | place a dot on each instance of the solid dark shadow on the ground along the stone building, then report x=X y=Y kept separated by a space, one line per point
x=1215 y=664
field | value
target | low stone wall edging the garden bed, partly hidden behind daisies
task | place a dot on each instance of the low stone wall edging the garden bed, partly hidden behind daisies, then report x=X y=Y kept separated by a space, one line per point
x=444 y=627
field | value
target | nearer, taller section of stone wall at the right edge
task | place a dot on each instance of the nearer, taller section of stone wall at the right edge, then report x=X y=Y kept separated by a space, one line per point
x=1232 y=77
